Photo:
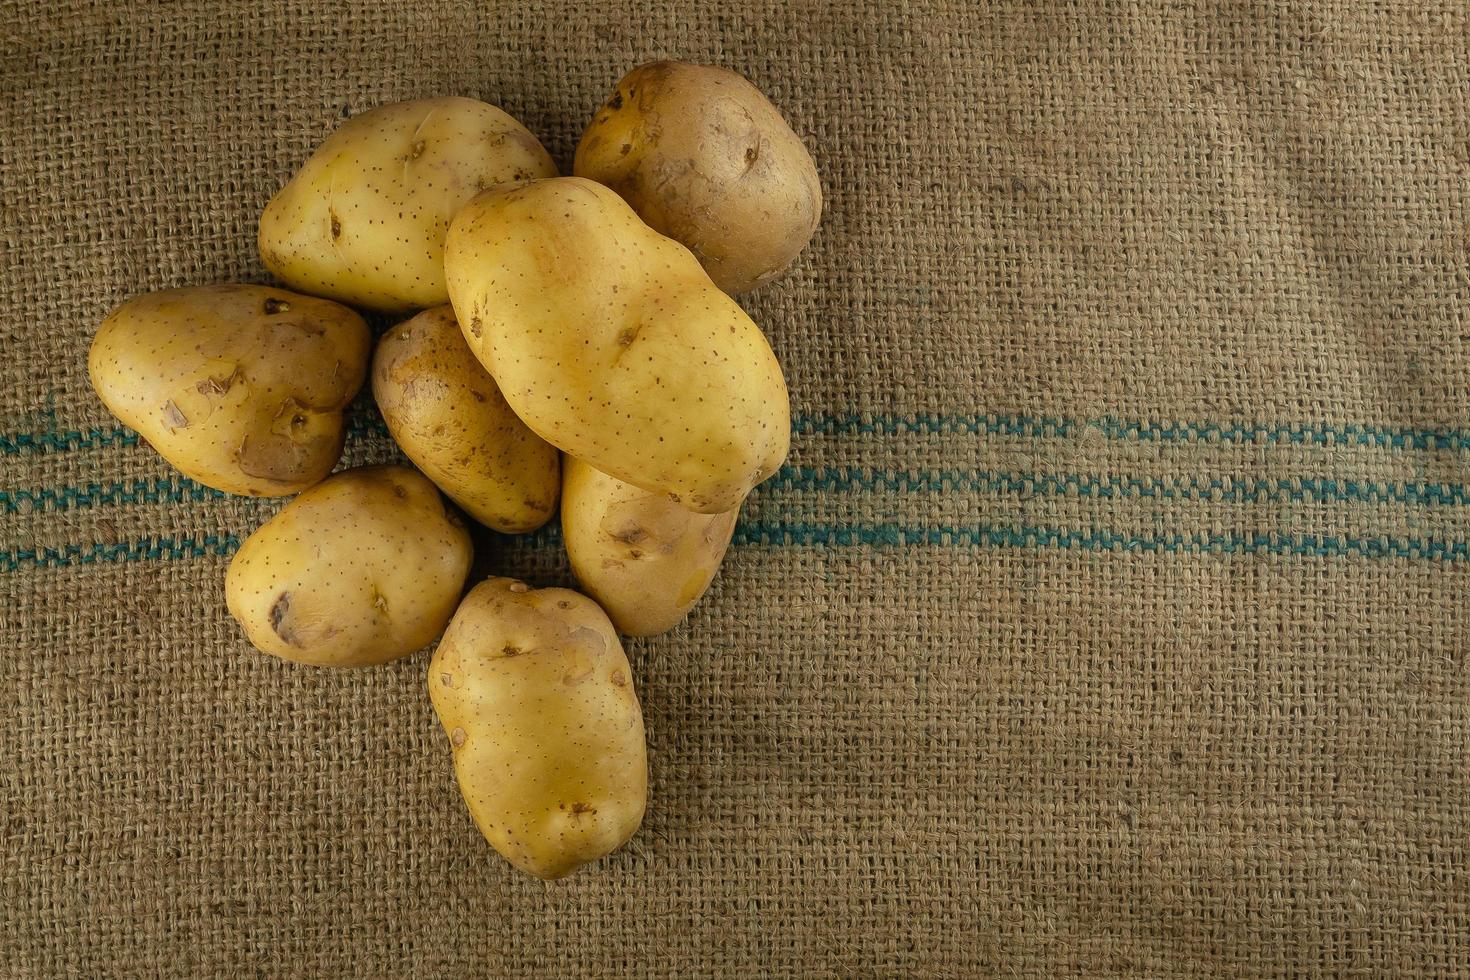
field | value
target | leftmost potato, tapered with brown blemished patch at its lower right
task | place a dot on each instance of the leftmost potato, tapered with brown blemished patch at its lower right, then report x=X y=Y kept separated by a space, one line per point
x=240 y=387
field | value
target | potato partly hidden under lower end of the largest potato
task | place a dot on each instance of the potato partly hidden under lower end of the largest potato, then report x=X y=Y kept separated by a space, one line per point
x=643 y=558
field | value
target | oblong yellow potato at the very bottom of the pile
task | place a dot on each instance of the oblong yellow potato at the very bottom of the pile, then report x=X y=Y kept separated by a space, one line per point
x=539 y=702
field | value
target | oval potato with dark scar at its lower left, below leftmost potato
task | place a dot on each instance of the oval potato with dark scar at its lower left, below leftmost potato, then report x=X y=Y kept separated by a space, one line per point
x=362 y=569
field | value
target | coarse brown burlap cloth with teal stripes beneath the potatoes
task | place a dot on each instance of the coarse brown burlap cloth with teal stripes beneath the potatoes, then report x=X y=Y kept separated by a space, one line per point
x=1111 y=619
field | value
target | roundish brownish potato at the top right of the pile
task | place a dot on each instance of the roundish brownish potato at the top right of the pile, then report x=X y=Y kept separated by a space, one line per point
x=708 y=161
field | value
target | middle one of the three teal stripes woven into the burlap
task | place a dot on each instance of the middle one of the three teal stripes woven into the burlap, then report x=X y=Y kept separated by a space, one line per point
x=842 y=480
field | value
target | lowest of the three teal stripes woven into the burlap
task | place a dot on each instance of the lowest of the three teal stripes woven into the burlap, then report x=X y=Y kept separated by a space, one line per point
x=1018 y=537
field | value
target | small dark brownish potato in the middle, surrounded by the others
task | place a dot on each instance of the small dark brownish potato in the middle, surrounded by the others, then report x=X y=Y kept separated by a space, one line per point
x=452 y=421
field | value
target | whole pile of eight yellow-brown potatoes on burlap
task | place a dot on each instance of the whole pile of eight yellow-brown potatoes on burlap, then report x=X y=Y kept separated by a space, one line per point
x=587 y=317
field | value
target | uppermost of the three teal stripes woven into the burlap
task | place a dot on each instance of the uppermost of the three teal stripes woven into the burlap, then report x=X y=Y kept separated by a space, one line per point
x=1030 y=427
